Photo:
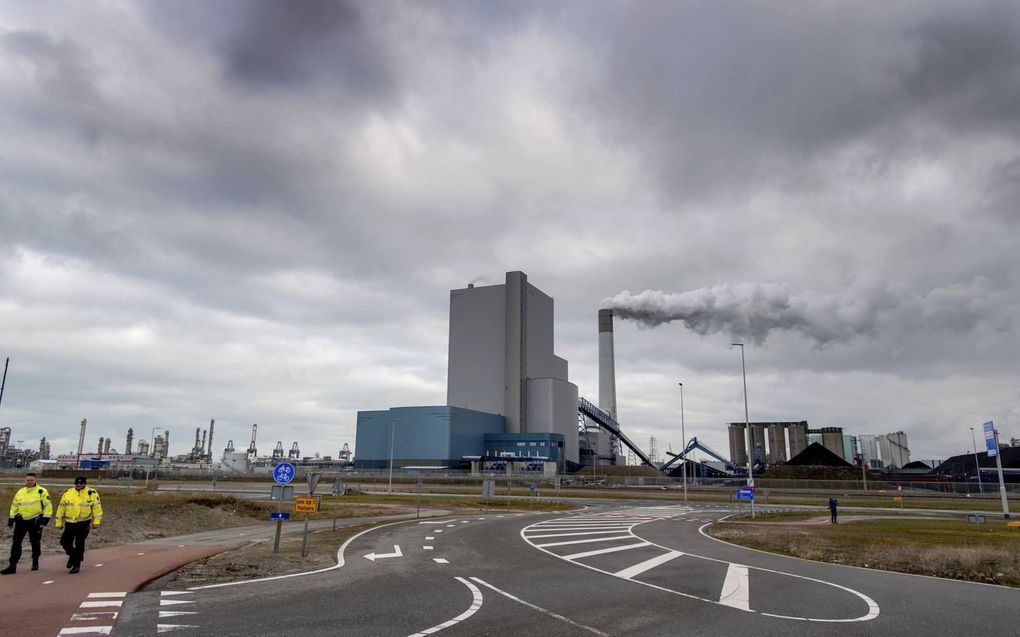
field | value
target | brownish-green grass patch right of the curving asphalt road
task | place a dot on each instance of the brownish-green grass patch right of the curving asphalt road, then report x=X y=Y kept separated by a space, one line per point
x=941 y=548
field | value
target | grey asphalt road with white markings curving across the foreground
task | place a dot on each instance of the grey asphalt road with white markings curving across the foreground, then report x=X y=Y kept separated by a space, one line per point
x=609 y=570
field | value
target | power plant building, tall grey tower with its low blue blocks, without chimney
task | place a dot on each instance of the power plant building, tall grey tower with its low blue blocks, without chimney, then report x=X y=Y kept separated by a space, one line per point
x=508 y=395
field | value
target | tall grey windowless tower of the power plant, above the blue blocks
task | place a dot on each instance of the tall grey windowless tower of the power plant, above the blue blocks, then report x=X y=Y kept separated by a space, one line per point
x=502 y=360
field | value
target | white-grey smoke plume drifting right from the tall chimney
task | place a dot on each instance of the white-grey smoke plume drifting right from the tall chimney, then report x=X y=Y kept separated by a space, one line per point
x=754 y=310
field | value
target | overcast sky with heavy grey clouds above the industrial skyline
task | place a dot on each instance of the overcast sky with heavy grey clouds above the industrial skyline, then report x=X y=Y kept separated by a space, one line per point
x=254 y=211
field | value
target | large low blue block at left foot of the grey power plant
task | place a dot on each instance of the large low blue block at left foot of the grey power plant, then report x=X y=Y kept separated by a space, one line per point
x=423 y=437
